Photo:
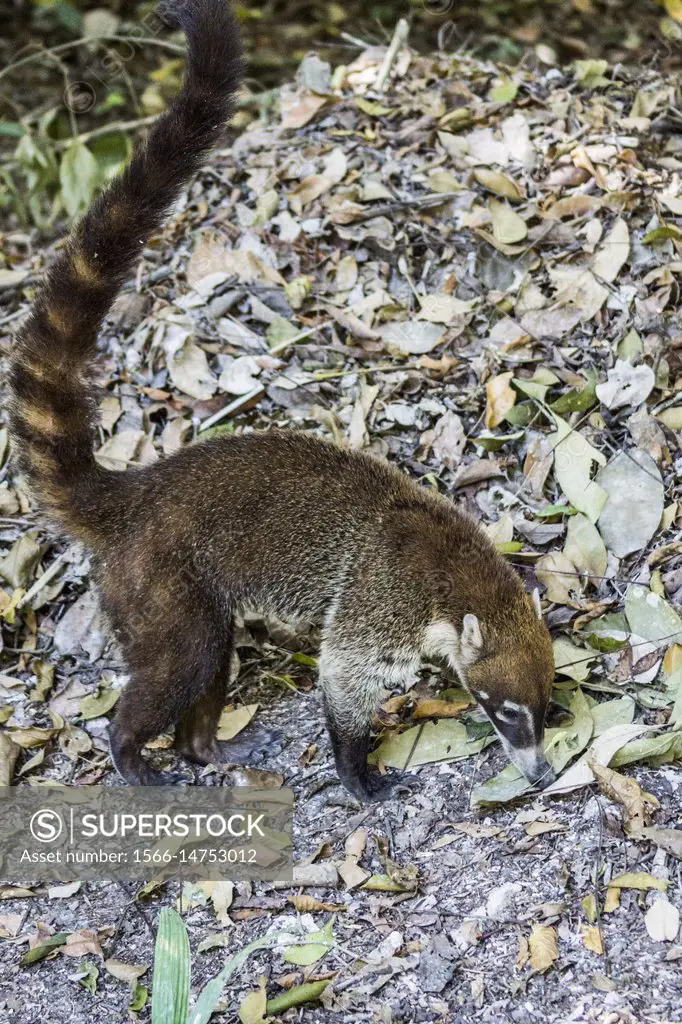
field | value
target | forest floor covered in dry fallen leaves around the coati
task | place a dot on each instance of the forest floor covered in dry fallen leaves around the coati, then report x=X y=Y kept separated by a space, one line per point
x=473 y=273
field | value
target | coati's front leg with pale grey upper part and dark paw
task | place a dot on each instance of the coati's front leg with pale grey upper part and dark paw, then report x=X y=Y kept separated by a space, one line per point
x=351 y=686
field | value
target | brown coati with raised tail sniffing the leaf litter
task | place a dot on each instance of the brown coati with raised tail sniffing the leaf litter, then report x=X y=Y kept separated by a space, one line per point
x=282 y=522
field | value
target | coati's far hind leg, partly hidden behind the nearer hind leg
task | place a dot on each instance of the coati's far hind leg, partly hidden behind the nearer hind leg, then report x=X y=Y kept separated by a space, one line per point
x=196 y=733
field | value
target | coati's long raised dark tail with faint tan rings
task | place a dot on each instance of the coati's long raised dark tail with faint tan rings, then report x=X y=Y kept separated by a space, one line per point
x=53 y=409
